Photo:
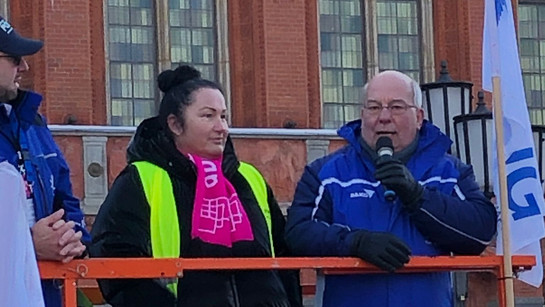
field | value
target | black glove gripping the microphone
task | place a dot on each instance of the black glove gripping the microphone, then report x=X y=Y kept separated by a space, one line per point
x=395 y=176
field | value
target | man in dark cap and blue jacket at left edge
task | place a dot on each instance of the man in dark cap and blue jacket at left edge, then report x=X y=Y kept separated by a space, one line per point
x=52 y=212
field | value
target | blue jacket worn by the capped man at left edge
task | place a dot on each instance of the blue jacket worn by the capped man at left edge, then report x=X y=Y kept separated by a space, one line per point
x=52 y=189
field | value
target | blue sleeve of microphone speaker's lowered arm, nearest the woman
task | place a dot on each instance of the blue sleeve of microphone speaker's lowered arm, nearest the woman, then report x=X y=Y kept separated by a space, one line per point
x=309 y=229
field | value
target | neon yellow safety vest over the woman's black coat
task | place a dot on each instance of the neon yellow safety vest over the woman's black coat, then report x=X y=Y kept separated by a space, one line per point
x=164 y=228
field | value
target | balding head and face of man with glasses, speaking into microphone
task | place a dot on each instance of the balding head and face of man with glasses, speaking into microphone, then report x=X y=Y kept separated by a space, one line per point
x=394 y=90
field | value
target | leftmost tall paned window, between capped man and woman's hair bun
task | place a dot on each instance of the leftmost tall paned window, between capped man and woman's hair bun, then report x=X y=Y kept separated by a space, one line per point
x=132 y=60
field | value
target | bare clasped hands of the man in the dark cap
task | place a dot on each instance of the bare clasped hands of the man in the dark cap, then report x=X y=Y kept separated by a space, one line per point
x=55 y=239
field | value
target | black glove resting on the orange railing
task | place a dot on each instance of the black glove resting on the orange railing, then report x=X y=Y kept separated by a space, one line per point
x=382 y=249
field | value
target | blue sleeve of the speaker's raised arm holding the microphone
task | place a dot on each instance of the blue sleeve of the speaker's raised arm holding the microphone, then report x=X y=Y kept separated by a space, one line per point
x=462 y=223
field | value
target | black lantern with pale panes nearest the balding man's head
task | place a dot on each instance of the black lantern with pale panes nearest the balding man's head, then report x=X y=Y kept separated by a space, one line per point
x=445 y=99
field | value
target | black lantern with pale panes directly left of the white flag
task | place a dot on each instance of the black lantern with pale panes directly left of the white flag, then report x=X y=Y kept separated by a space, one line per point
x=473 y=141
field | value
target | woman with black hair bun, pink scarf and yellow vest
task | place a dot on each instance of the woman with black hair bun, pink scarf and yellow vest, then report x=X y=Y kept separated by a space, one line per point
x=185 y=194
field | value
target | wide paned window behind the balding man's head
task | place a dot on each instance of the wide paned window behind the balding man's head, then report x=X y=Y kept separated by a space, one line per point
x=358 y=39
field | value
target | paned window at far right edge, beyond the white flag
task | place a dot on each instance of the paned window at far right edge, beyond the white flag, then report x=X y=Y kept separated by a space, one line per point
x=531 y=17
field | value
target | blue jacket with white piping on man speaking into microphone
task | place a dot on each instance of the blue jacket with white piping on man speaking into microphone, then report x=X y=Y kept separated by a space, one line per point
x=338 y=194
